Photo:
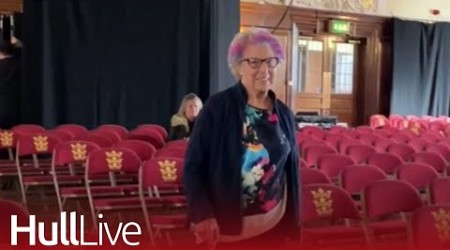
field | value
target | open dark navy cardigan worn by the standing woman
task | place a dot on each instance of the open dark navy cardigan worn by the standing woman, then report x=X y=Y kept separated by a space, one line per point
x=212 y=173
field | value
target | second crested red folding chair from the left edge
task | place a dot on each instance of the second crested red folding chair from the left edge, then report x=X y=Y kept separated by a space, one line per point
x=38 y=144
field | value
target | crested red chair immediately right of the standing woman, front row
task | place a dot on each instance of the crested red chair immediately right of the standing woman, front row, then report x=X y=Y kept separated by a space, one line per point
x=323 y=207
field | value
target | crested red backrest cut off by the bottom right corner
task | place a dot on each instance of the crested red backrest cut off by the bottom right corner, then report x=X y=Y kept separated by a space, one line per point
x=429 y=227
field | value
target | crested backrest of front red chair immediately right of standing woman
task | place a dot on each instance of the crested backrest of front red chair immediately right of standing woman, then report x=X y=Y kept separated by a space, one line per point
x=326 y=201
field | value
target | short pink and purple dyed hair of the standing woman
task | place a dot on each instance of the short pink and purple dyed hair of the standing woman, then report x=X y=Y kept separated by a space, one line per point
x=251 y=37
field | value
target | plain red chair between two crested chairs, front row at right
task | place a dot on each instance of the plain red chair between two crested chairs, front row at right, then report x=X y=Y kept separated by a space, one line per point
x=385 y=203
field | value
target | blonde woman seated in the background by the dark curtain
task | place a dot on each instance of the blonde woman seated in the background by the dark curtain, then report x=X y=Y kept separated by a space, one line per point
x=182 y=122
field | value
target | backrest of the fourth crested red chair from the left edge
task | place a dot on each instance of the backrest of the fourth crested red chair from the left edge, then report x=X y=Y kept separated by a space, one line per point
x=105 y=160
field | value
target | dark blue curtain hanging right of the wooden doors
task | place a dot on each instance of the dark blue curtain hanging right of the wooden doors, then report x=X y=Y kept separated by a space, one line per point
x=421 y=75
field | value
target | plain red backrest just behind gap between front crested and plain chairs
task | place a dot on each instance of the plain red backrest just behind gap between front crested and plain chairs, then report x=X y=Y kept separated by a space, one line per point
x=354 y=178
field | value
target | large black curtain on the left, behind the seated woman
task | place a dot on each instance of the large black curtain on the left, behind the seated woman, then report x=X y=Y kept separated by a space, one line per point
x=124 y=62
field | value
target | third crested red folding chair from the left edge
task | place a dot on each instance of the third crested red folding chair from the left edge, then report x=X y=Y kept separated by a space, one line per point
x=70 y=157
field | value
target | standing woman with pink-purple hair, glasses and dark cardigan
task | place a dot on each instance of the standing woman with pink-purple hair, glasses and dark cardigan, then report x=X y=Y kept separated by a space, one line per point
x=241 y=167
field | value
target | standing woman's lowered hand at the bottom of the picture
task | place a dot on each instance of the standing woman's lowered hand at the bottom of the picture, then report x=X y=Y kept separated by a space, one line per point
x=207 y=232
